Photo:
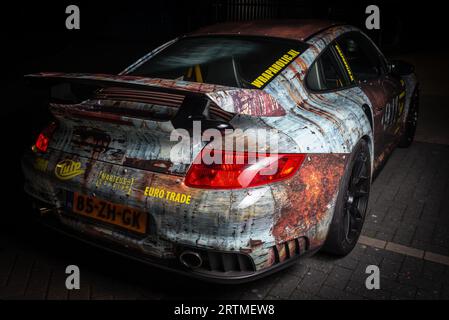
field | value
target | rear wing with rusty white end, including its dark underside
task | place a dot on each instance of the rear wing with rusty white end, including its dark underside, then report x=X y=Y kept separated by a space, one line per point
x=76 y=87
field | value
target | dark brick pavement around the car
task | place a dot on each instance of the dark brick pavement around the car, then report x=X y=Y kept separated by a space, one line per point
x=409 y=206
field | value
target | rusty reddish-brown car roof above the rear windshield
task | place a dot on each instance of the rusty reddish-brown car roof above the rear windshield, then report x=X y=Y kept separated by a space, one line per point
x=289 y=29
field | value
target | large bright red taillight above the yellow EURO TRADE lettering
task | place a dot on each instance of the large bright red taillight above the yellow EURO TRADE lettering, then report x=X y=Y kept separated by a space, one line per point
x=242 y=170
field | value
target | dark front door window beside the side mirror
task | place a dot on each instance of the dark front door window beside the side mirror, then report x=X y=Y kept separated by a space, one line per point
x=362 y=57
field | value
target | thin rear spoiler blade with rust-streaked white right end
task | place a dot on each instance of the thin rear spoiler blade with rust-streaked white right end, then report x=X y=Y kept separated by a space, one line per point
x=252 y=102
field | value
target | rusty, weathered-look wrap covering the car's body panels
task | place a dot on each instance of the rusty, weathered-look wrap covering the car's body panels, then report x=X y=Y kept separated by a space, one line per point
x=126 y=132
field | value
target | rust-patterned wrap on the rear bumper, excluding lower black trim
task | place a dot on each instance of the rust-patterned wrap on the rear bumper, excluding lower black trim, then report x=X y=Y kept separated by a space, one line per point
x=228 y=220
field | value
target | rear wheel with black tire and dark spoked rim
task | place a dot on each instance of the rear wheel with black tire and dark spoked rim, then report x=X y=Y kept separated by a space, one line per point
x=352 y=202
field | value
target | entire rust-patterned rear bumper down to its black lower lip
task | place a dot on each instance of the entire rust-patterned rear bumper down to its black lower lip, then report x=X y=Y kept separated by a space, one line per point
x=267 y=228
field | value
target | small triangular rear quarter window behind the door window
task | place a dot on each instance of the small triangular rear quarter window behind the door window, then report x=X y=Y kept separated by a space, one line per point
x=325 y=74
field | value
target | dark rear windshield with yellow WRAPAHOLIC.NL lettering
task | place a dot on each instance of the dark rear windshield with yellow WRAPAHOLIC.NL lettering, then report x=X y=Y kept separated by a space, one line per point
x=235 y=61
